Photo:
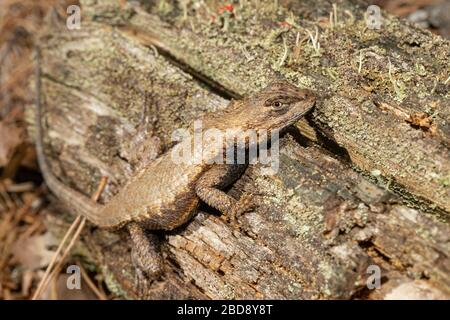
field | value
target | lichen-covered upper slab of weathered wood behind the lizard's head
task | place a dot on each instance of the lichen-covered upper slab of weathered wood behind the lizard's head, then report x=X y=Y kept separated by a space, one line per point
x=403 y=74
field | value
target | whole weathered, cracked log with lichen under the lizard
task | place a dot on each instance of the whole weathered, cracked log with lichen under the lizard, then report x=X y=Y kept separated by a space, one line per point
x=319 y=224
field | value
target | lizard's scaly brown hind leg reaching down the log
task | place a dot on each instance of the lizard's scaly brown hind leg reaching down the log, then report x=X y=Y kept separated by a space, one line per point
x=146 y=256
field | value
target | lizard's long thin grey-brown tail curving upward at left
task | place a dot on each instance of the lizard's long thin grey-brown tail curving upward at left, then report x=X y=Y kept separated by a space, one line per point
x=81 y=204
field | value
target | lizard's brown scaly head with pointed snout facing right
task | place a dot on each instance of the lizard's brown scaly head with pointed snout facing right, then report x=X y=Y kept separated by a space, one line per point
x=277 y=106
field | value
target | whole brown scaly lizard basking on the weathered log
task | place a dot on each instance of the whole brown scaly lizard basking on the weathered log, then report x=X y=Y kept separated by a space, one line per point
x=164 y=195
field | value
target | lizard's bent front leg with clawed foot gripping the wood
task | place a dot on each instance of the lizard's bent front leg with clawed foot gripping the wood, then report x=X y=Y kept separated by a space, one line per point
x=209 y=190
